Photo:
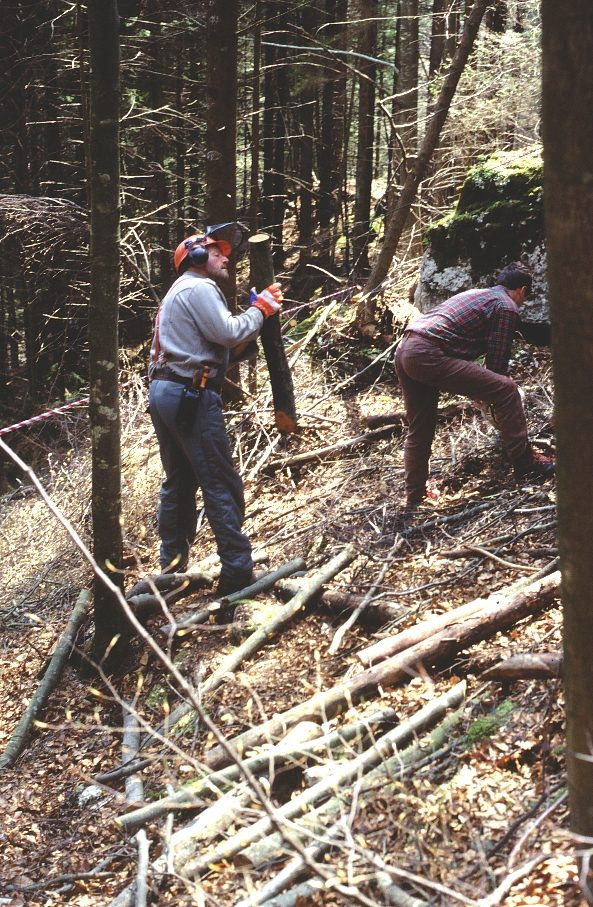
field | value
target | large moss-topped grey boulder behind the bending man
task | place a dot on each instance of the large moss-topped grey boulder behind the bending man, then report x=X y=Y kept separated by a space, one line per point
x=499 y=218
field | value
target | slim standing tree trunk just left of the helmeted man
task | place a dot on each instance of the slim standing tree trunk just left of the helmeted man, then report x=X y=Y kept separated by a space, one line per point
x=103 y=318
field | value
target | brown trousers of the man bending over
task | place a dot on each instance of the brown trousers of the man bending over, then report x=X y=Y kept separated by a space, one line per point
x=424 y=369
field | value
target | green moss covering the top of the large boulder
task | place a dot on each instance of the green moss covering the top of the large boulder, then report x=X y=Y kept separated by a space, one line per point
x=499 y=214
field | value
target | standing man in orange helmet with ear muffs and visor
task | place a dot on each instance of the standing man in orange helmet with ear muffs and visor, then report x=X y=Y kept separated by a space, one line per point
x=194 y=339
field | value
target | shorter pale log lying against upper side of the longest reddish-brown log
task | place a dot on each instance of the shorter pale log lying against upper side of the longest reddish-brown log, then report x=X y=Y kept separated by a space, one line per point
x=425 y=629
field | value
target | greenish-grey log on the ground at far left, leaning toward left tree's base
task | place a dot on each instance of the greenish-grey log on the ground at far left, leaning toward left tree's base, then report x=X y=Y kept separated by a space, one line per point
x=58 y=661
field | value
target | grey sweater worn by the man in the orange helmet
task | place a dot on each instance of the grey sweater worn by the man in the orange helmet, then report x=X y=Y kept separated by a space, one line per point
x=196 y=328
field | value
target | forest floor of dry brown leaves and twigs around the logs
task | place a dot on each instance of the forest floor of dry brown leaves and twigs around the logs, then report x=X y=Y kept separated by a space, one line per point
x=483 y=814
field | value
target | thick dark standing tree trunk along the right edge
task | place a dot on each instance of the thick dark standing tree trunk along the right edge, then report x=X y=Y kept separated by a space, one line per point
x=568 y=196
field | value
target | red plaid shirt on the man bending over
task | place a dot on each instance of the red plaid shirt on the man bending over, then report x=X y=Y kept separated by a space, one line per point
x=472 y=324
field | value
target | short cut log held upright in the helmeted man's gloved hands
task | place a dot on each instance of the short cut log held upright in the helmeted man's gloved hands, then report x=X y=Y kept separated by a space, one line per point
x=261 y=276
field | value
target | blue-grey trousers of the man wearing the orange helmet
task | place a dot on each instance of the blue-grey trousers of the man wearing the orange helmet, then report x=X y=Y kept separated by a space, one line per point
x=198 y=458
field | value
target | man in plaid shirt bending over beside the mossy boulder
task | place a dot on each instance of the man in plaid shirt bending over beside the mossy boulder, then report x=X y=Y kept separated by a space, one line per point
x=437 y=352
